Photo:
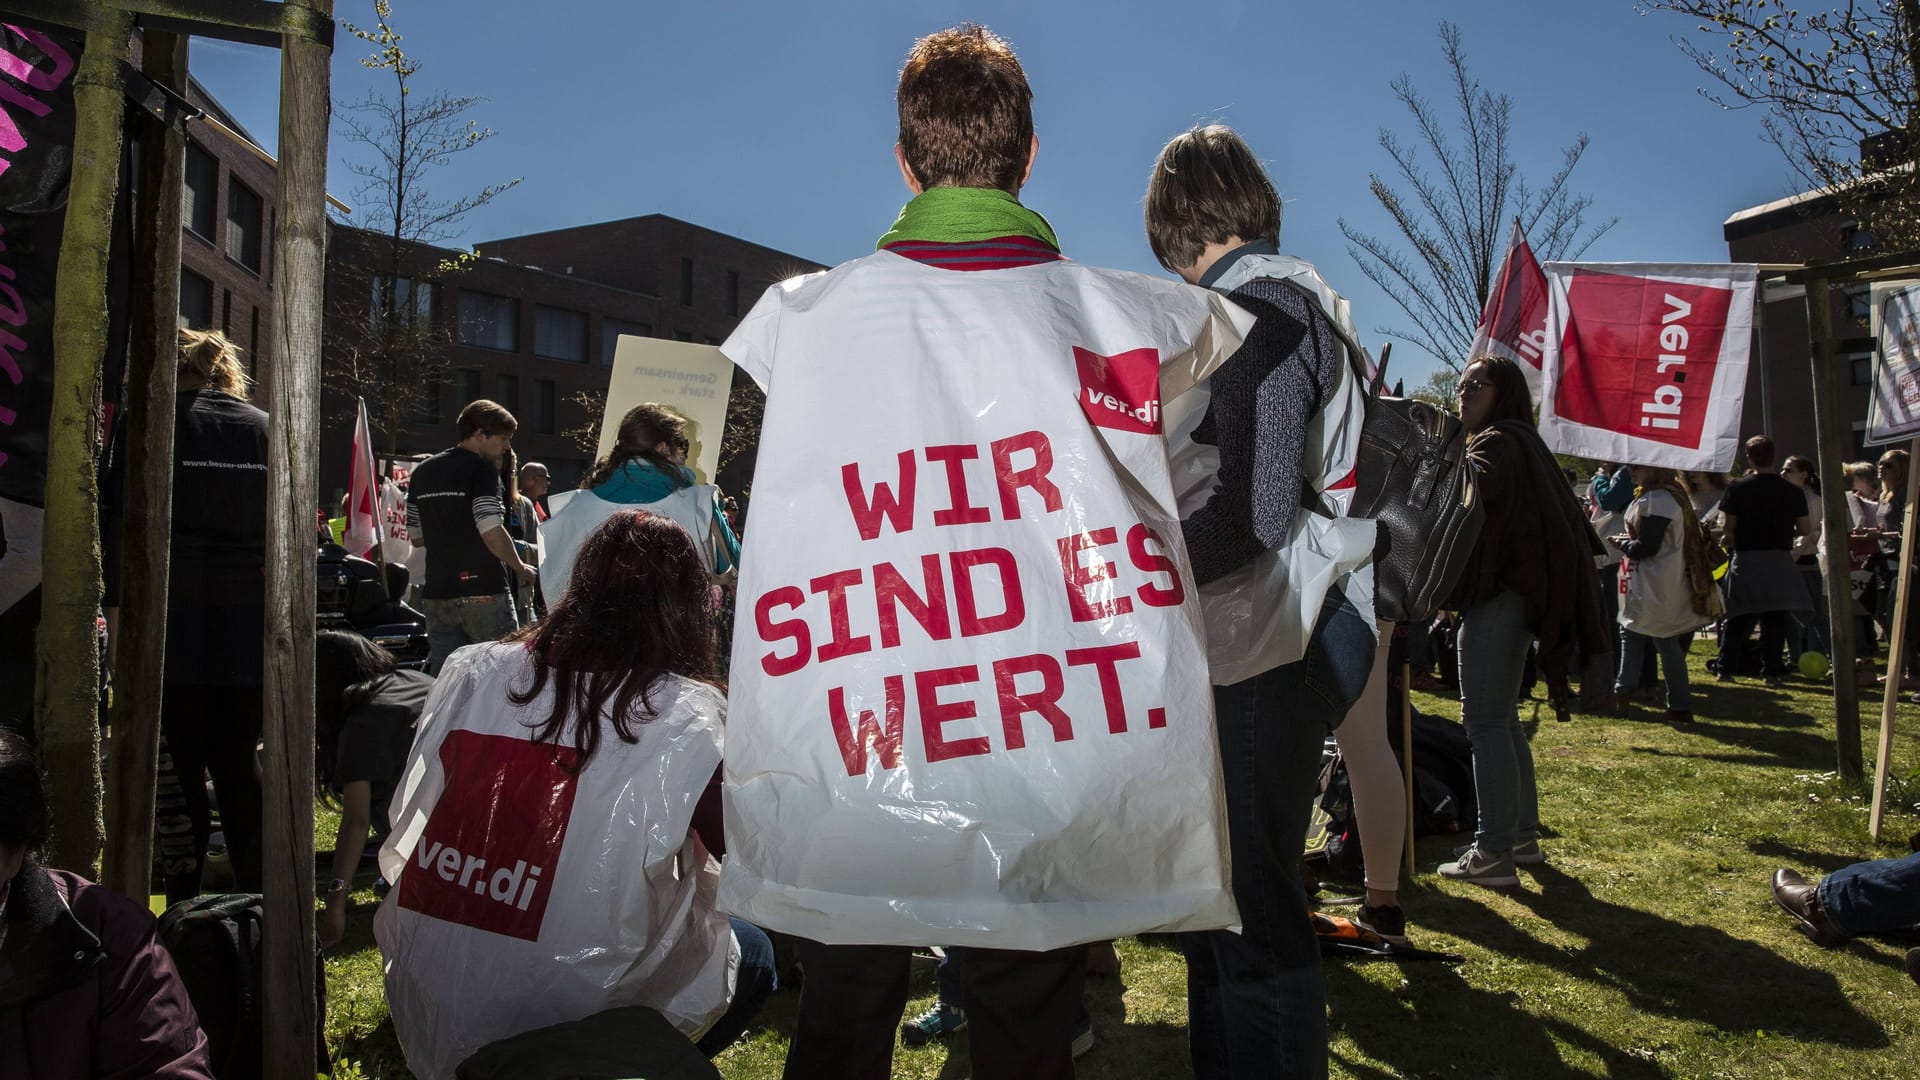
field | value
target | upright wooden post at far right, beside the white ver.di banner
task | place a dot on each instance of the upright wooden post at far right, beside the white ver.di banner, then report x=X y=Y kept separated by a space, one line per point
x=1833 y=435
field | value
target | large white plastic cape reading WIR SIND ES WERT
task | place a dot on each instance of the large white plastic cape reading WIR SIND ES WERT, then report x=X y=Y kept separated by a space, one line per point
x=971 y=697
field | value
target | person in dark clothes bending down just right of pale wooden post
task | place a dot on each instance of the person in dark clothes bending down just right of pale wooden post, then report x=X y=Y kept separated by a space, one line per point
x=366 y=710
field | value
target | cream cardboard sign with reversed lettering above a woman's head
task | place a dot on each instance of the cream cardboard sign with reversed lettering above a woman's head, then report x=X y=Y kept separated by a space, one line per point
x=690 y=380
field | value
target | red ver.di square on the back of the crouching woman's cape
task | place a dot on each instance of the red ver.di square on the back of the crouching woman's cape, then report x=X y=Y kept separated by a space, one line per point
x=489 y=852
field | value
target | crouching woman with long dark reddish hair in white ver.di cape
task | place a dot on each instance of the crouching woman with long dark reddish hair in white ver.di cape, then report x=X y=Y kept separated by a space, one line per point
x=544 y=858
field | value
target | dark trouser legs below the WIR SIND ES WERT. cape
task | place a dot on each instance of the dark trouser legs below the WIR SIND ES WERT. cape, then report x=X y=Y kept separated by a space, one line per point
x=1020 y=1012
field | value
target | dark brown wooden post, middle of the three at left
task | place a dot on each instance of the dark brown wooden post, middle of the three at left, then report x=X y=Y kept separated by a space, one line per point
x=141 y=629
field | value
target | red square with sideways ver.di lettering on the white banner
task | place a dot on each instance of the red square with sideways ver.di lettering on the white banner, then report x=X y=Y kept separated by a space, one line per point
x=1639 y=355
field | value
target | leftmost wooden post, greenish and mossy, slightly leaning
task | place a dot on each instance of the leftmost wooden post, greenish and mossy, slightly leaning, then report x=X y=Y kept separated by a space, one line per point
x=68 y=704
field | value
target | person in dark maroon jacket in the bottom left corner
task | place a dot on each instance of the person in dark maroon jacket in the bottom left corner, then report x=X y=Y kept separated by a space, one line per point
x=85 y=987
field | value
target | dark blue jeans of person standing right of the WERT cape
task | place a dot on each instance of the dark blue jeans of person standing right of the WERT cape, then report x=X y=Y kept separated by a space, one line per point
x=1257 y=1006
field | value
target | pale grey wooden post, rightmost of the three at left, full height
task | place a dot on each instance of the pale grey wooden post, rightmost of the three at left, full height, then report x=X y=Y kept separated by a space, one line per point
x=293 y=479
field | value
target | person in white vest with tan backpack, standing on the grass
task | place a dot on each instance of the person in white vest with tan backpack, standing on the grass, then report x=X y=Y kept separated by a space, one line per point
x=1668 y=587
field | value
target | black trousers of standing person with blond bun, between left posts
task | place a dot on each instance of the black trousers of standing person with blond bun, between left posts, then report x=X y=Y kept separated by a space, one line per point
x=216 y=731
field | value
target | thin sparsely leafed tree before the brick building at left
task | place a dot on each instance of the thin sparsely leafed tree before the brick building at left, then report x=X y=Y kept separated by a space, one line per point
x=393 y=351
